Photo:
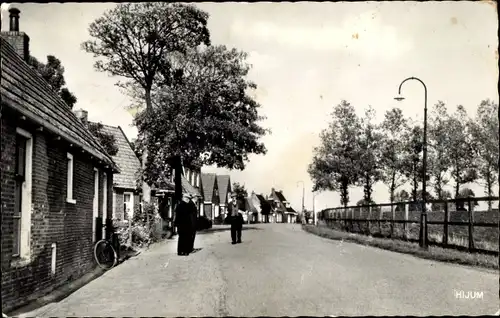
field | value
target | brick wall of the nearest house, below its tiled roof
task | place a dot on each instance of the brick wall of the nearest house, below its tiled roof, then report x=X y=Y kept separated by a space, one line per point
x=53 y=220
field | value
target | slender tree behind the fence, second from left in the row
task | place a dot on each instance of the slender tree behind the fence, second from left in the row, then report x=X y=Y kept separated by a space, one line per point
x=369 y=158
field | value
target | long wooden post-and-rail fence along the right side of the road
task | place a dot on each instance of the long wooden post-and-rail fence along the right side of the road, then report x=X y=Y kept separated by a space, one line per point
x=454 y=223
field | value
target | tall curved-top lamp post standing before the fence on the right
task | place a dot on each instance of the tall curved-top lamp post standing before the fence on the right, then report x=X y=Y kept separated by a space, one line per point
x=423 y=216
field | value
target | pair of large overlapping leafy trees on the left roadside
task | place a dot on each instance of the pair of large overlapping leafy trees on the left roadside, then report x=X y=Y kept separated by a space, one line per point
x=193 y=97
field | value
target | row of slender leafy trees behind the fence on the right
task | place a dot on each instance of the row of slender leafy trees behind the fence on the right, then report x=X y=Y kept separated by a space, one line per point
x=359 y=152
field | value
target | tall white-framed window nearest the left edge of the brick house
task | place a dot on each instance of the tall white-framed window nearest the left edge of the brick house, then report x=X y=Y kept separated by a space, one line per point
x=22 y=194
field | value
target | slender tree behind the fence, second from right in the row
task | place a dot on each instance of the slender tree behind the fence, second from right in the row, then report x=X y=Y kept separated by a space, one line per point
x=461 y=149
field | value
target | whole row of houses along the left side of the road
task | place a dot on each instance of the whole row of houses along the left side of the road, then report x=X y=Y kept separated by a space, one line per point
x=60 y=187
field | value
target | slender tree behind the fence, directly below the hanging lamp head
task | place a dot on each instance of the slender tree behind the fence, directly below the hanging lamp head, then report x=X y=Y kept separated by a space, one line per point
x=394 y=127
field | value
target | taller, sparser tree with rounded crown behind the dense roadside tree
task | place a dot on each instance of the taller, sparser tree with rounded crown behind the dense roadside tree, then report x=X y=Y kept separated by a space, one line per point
x=133 y=41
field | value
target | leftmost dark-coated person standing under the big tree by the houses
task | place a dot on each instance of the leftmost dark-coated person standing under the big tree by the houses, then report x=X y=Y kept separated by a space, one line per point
x=184 y=224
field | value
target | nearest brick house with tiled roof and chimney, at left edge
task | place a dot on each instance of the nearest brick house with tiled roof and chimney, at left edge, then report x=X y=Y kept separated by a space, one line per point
x=56 y=181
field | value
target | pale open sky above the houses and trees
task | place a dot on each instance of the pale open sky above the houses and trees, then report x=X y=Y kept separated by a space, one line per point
x=306 y=58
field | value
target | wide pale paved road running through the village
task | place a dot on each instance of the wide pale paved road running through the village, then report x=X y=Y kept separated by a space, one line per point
x=279 y=270
